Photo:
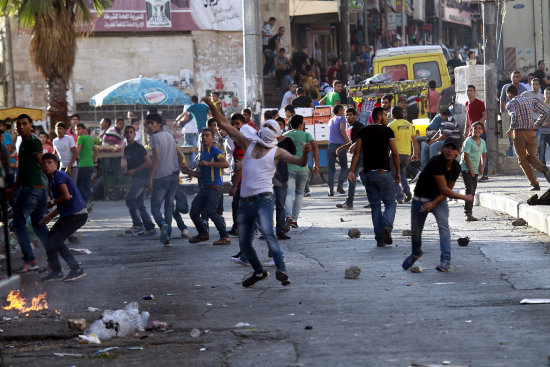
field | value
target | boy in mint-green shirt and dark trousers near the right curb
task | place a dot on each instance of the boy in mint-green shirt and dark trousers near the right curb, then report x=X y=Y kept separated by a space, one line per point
x=472 y=164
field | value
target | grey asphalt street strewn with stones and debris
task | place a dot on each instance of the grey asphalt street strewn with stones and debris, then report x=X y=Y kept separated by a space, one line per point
x=386 y=317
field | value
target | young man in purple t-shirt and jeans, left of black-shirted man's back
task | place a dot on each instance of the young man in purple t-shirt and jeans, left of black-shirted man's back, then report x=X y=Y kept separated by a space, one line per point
x=337 y=137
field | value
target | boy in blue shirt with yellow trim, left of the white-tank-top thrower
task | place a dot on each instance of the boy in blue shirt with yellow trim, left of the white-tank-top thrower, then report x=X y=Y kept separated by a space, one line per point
x=211 y=164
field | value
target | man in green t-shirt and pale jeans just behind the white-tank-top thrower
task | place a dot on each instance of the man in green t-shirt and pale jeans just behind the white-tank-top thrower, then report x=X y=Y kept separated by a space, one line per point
x=297 y=175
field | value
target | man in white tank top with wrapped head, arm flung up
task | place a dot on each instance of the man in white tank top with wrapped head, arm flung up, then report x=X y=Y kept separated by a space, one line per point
x=256 y=206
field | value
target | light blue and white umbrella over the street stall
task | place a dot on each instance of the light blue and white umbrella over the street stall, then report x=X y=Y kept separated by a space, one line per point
x=142 y=91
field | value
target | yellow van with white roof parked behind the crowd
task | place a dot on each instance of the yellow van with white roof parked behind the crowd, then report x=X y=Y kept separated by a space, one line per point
x=413 y=62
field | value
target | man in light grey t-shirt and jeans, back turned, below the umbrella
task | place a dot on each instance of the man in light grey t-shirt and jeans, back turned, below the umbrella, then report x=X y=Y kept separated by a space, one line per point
x=163 y=179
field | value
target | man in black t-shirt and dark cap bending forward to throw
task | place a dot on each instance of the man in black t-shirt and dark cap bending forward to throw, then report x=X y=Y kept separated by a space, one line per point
x=434 y=186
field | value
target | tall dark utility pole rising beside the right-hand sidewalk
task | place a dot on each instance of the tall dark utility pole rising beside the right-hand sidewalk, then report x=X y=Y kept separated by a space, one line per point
x=491 y=79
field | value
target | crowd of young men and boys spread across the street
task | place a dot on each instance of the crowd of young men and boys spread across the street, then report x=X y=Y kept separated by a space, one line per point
x=269 y=172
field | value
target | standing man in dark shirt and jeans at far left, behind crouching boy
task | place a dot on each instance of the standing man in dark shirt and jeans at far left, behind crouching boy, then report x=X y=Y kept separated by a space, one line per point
x=31 y=198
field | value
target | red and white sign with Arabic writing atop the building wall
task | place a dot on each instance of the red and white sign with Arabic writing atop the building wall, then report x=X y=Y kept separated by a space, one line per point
x=170 y=15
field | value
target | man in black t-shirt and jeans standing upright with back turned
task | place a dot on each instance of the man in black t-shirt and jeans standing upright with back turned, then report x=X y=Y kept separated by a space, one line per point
x=376 y=141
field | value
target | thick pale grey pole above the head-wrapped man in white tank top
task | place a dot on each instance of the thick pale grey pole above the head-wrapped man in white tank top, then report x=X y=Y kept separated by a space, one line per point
x=252 y=55
